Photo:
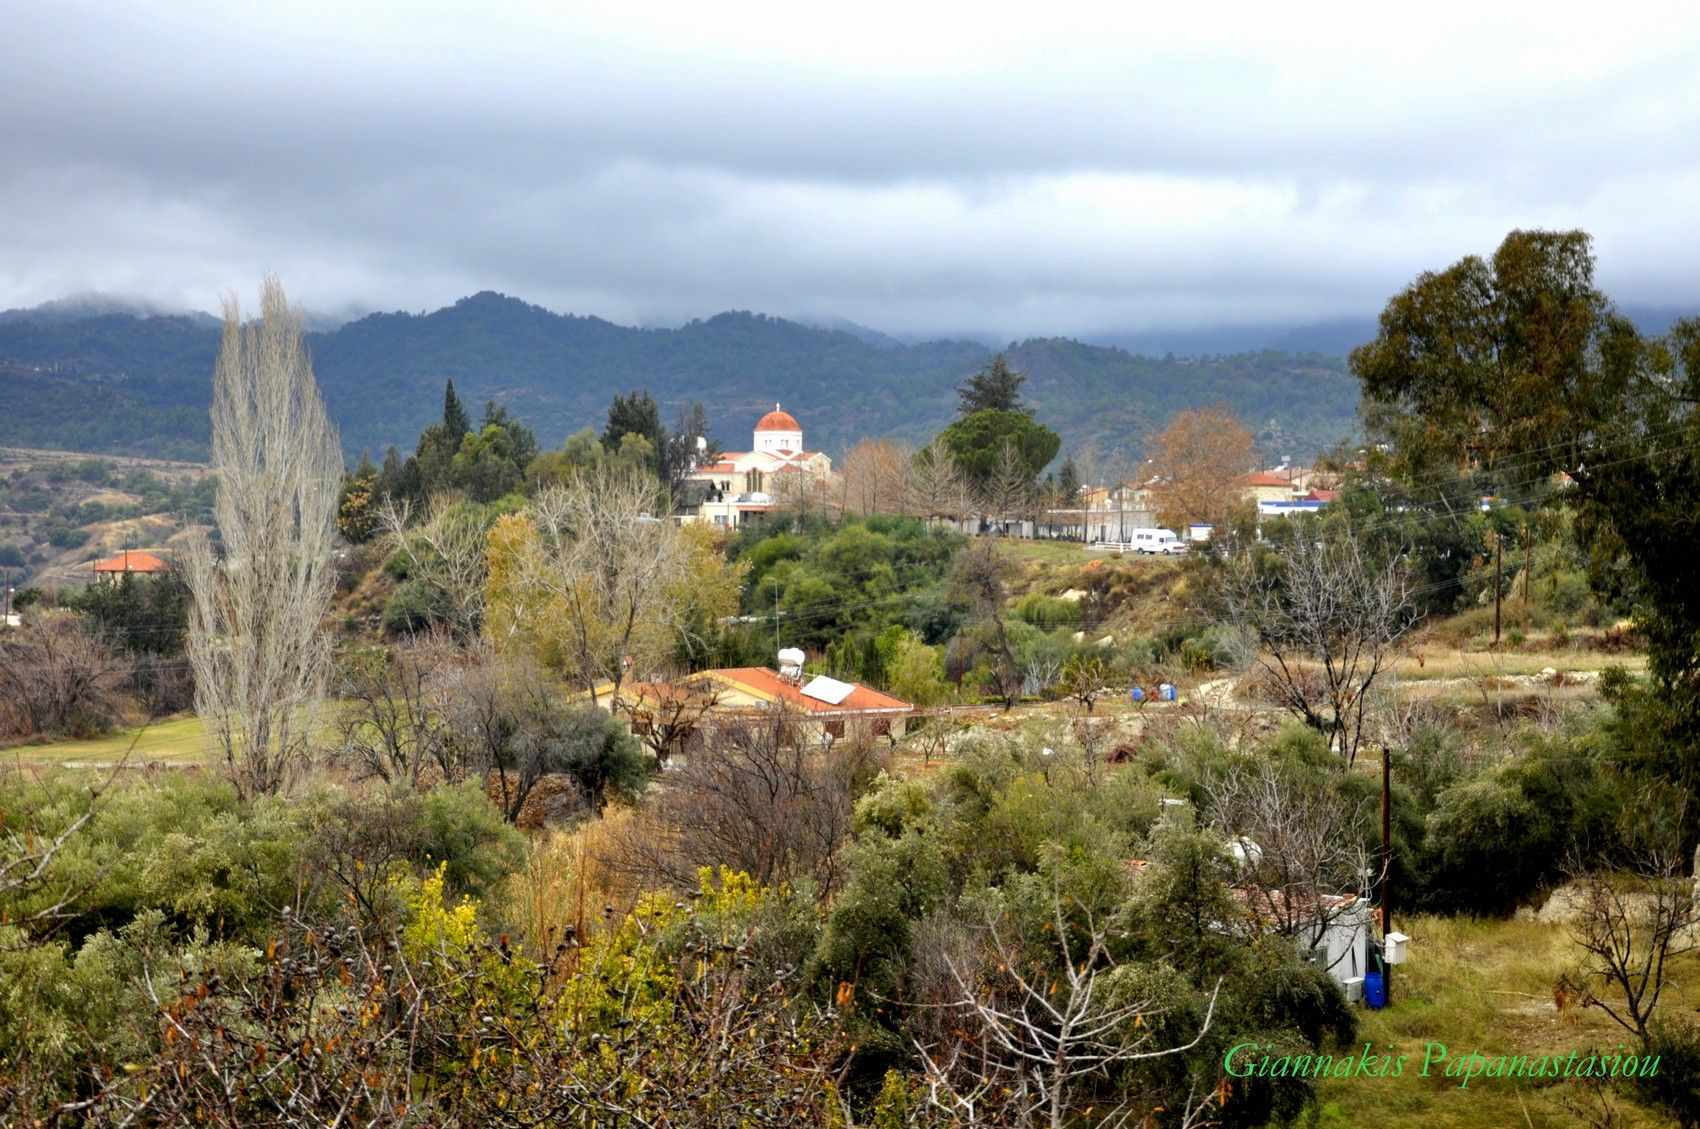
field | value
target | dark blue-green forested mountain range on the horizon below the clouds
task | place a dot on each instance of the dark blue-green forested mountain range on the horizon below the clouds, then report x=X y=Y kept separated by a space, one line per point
x=140 y=385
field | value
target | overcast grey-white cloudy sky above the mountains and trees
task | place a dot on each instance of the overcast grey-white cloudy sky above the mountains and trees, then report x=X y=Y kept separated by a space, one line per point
x=915 y=166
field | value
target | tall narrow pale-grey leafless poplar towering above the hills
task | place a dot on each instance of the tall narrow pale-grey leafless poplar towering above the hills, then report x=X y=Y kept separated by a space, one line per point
x=256 y=635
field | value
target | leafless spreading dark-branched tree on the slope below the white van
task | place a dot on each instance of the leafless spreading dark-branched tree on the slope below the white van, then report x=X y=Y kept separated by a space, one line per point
x=1327 y=620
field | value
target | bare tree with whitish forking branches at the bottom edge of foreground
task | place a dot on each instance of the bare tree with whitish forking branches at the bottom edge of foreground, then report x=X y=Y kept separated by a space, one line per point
x=1034 y=1036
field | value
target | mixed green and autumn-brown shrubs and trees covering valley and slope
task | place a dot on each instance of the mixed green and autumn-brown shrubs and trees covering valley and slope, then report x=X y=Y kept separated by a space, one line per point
x=752 y=926
